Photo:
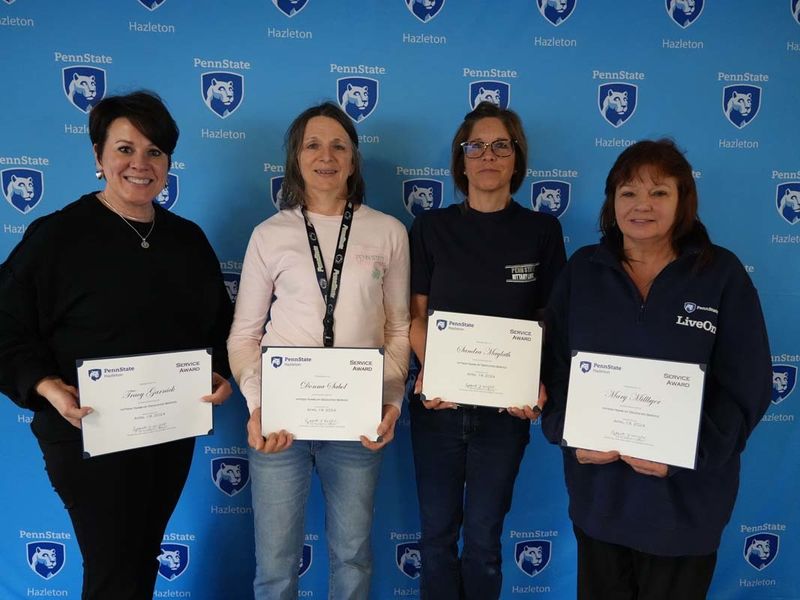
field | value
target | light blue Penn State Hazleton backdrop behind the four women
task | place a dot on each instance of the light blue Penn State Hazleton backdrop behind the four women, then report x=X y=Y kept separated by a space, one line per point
x=417 y=70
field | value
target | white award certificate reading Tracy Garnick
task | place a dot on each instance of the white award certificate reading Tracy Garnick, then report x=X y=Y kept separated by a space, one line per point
x=144 y=399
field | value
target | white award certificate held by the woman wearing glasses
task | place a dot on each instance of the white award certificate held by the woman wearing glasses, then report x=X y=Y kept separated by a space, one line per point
x=481 y=360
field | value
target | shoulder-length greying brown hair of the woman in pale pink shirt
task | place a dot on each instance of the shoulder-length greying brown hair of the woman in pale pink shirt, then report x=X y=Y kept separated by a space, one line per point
x=294 y=190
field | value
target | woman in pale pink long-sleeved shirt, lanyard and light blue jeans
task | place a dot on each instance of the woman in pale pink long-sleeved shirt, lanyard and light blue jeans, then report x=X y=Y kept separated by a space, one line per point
x=282 y=302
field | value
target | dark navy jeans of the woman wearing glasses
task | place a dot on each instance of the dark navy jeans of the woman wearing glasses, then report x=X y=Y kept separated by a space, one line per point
x=466 y=462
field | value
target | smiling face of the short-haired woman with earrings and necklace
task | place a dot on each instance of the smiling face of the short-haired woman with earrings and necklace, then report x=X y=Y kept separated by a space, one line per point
x=135 y=169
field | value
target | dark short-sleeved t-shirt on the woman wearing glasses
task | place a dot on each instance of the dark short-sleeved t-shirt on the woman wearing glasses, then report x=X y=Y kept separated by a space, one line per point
x=500 y=264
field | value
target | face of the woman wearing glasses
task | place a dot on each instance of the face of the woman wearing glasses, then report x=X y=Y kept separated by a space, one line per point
x=489 y=174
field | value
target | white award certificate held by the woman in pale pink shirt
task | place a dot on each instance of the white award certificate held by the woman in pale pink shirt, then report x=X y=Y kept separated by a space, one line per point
x=322 y=393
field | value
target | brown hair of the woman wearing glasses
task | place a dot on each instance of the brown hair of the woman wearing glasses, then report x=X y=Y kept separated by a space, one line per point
x=512 y=123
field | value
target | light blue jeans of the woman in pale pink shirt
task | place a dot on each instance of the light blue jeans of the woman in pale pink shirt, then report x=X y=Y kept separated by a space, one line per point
x=281 y=483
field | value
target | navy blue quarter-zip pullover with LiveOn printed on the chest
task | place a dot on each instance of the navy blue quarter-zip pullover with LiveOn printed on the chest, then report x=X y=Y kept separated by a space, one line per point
x=708 y=314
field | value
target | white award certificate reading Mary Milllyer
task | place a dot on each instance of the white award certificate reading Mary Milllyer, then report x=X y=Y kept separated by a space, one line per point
x=640 y=407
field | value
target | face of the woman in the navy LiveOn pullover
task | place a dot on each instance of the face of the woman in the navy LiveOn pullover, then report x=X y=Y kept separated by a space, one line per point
x=645 y=209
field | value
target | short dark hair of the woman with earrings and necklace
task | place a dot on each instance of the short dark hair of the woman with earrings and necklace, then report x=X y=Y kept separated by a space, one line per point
x=146 y=112
